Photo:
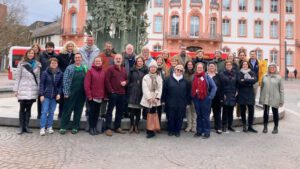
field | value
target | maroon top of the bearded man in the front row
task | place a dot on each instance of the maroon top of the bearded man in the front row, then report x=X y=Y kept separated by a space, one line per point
x=113 y=79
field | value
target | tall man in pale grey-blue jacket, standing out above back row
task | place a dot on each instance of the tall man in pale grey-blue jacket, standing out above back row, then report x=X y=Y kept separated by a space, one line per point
x=89 y=52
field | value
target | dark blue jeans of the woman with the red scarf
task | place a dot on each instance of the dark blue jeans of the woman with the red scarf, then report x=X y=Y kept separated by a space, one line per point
x=202 y=108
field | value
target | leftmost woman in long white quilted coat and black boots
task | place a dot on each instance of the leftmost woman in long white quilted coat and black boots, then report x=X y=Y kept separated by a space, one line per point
x=26 y=88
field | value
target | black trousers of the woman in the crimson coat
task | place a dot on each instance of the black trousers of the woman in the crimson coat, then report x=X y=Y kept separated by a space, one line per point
x=94 y=113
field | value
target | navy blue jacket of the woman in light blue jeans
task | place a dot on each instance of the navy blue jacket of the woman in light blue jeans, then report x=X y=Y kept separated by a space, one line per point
x=51 y=84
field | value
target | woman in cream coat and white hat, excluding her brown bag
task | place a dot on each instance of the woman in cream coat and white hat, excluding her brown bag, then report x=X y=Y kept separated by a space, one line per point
x=152 y=91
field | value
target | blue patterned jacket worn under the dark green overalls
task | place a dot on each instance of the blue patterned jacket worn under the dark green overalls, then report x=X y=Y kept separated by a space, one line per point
x=68 y=78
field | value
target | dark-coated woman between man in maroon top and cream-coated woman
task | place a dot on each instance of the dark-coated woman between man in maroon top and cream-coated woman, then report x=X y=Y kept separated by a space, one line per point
x=135 y=93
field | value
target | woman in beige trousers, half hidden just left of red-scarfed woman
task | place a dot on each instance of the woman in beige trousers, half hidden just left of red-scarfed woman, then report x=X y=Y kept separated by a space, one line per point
x=190 y=109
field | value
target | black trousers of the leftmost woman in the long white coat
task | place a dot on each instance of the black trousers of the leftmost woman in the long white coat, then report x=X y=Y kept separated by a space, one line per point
x=24 y=113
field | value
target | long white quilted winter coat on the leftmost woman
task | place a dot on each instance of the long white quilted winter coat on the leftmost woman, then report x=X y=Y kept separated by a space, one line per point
x=25 y=84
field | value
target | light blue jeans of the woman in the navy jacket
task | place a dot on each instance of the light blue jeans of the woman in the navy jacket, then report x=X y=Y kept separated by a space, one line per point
x=48 y=109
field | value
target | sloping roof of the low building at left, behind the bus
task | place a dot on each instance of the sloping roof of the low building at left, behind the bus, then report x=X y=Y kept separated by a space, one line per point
x=51 y=29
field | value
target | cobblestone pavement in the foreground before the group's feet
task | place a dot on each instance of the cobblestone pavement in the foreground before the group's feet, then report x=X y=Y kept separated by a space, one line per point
x=233 y=150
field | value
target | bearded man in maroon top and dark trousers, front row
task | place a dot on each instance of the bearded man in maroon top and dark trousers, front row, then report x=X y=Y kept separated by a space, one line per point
x=115 y=82
